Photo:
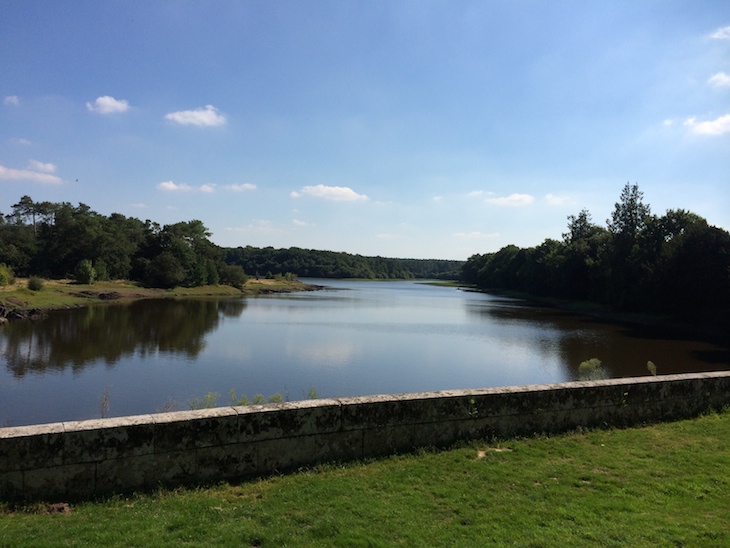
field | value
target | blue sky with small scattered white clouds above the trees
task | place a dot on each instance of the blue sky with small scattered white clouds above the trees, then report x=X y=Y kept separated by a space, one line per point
x=422 y=129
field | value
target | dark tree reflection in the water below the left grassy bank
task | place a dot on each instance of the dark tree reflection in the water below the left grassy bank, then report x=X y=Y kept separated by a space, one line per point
x=78 y=337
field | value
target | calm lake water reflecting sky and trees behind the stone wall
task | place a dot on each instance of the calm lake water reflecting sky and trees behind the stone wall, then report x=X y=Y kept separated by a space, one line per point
x=354 y=338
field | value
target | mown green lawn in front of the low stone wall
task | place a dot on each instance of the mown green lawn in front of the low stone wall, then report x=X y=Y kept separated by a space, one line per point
x=659 y=485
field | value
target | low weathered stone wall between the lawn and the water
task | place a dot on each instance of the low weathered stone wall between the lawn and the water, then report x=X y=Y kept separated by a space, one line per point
x=82 y=459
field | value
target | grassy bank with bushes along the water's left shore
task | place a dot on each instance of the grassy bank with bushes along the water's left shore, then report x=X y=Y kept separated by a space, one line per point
x=57 y=294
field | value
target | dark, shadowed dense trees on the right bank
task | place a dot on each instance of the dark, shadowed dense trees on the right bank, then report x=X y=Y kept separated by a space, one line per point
x=675 y=263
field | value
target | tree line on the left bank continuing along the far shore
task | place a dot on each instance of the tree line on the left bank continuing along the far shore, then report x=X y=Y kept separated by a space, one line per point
x=59 y=240
